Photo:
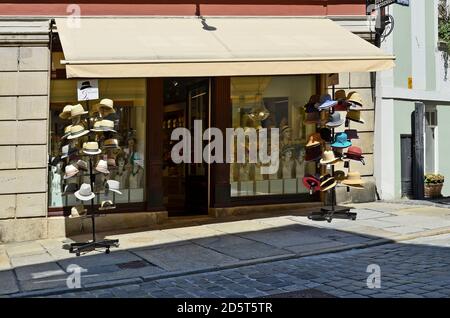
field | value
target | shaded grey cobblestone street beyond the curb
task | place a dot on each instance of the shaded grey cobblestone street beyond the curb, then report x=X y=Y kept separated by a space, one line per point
x=417 y=268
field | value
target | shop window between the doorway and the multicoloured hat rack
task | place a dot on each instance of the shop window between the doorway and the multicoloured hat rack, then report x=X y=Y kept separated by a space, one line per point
x=282 y=99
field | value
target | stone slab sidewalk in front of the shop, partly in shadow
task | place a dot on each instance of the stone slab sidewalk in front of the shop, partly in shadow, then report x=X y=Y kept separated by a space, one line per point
x=217 y=244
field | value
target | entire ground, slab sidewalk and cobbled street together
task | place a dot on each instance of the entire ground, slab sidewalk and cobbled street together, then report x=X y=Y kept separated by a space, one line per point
x=258 y=253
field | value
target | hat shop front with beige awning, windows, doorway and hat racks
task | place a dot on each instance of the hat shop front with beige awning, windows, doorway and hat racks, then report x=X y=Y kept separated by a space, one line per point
x=233 y=73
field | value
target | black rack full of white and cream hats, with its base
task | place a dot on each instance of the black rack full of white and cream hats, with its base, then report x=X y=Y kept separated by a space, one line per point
x=87 y=191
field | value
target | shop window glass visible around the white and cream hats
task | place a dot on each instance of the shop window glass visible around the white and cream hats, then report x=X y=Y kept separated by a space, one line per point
x=125 y=159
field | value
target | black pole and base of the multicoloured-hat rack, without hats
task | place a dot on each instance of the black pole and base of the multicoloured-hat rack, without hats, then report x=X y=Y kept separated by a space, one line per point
x=328 y=213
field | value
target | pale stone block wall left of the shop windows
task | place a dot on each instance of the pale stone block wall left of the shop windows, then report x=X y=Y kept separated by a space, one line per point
x=24 y=91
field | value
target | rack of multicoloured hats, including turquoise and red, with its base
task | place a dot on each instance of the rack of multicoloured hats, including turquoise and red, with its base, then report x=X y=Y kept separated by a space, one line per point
x=330 y=178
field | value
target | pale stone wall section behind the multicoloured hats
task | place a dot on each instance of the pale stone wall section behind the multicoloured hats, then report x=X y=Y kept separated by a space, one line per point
x=361 y=83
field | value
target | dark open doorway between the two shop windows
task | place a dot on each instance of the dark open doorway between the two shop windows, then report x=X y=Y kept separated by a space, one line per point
x=185 y=185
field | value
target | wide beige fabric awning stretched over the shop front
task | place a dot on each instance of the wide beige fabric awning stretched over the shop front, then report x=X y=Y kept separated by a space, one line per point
x=182 y=46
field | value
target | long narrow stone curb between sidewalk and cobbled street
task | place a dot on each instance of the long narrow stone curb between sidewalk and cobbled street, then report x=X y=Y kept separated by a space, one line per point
x=138 y=280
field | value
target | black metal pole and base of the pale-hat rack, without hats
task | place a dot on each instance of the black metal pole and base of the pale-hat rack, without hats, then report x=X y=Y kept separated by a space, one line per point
x=89 y=246
